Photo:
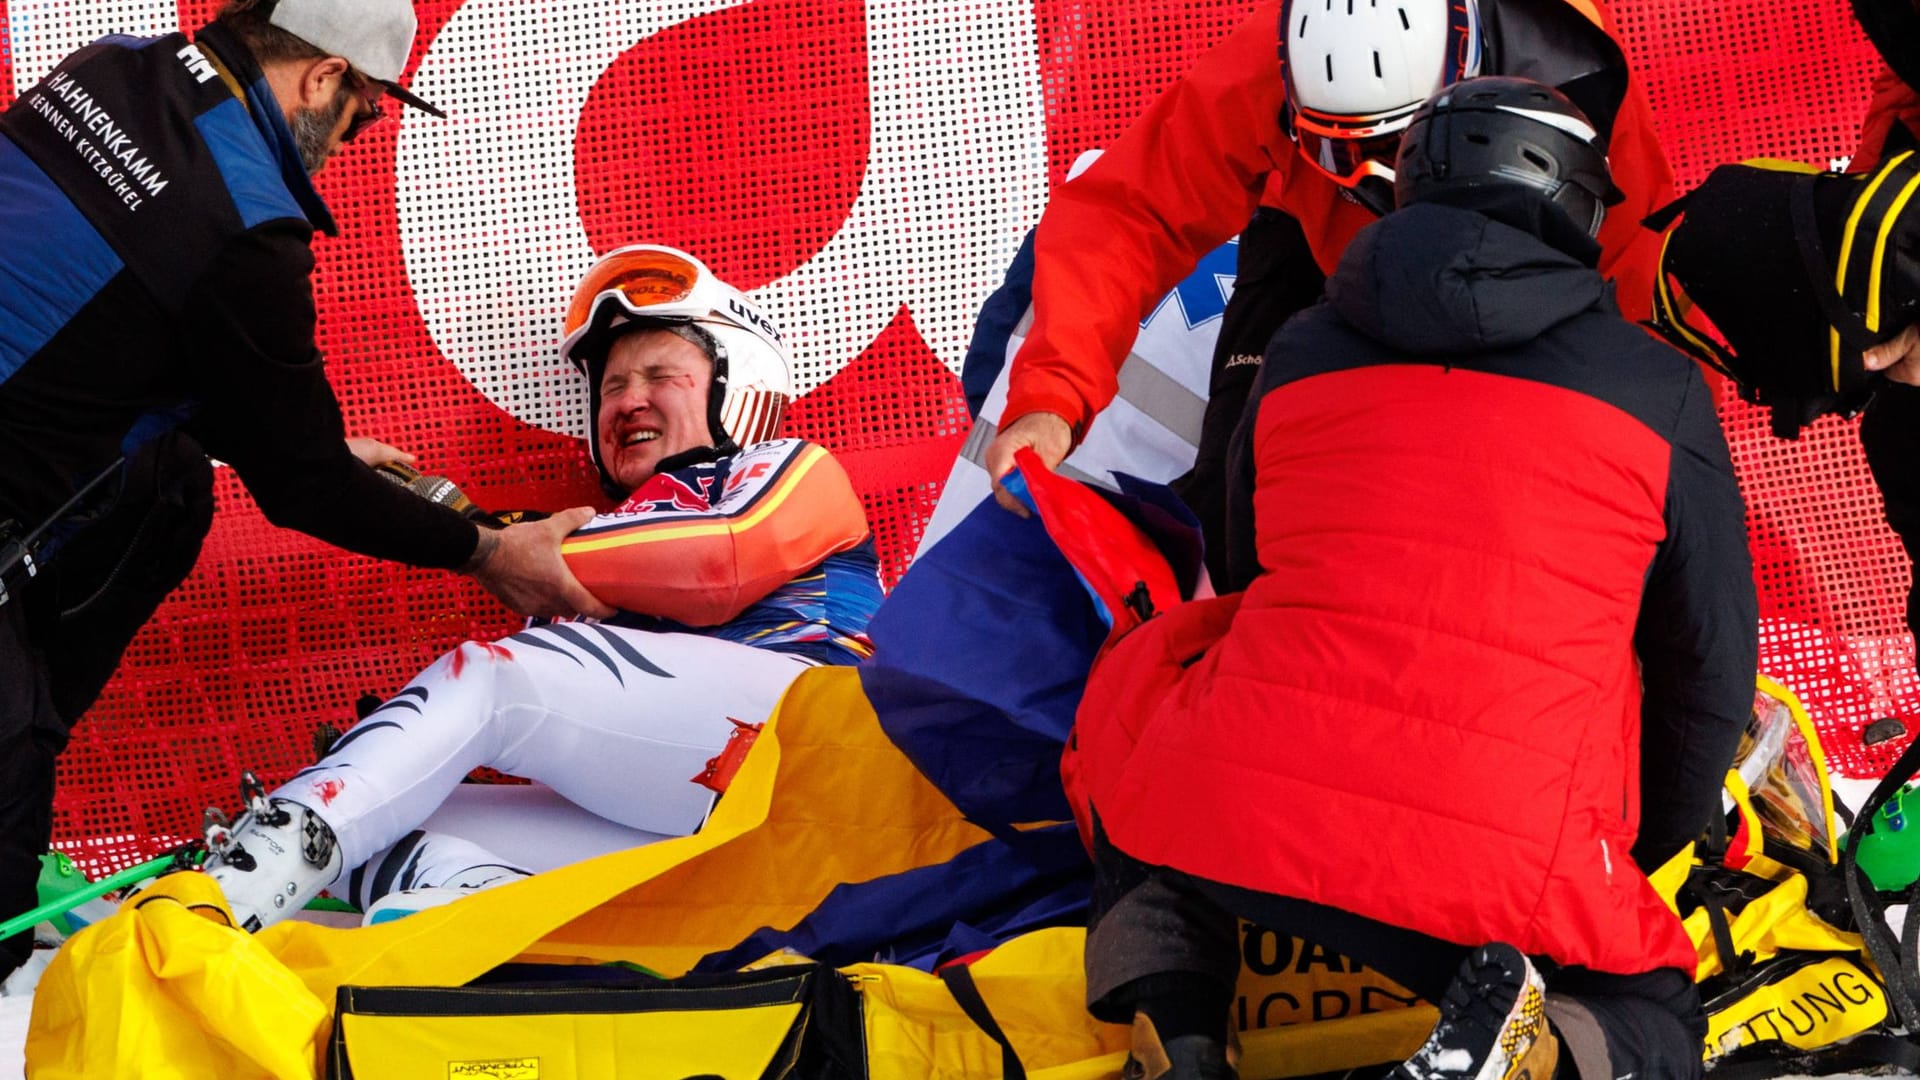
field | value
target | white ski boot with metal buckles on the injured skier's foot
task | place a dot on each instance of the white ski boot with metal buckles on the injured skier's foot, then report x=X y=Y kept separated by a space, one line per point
x=274 y=860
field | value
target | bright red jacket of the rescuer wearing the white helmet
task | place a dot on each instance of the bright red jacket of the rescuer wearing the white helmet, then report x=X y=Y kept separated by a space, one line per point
x=1189 y=174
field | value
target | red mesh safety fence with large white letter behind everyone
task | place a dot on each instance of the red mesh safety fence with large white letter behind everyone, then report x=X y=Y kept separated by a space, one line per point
x=867 y=170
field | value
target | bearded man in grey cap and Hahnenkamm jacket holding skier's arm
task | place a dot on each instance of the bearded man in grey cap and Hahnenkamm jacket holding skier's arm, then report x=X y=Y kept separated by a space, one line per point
x=155 y=310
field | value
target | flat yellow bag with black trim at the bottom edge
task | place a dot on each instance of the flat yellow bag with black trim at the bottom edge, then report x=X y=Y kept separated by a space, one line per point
x=598 y=1023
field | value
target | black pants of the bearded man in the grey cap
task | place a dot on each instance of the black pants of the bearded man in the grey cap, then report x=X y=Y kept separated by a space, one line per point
x=64 y=633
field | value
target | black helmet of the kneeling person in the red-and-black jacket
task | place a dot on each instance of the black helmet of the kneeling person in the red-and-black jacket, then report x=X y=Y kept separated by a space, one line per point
x=1499 y=130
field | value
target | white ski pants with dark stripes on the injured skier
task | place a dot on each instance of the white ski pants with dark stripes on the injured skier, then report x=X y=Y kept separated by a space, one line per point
x=617 y=722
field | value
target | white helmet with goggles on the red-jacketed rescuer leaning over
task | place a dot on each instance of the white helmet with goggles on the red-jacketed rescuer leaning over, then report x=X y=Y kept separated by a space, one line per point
x=1355 y=74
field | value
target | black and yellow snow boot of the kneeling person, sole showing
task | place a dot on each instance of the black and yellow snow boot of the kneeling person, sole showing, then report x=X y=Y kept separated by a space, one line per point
x=1493 y=1025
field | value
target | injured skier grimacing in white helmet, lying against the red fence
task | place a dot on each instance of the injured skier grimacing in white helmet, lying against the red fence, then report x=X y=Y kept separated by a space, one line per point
x=736 y=560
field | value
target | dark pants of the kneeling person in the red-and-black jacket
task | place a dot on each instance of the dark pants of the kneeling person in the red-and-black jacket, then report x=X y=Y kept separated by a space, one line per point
x=1153 y=921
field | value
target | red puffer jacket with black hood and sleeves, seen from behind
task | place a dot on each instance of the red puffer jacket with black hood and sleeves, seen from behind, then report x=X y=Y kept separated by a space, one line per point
x=1481 y=528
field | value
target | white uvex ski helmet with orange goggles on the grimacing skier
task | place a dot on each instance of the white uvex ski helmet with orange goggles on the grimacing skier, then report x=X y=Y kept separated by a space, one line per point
x=650 y=285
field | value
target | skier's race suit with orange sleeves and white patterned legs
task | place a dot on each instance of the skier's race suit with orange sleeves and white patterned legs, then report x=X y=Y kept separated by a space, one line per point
x=732 y=576
